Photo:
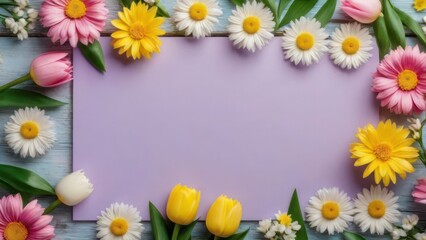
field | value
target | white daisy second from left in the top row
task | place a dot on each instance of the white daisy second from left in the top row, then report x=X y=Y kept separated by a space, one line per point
x=251 y=26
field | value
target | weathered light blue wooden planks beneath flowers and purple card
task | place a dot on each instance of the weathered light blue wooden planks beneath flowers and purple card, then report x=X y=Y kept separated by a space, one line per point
x=57 y=163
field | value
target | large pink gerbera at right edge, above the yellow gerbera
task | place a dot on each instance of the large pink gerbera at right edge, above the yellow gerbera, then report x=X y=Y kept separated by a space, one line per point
x=400 y=80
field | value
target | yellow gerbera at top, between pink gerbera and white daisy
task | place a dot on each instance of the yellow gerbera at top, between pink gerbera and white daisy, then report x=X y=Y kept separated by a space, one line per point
x=138 y=31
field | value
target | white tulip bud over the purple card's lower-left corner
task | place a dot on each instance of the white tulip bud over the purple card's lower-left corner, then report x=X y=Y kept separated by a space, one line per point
x=74 y=188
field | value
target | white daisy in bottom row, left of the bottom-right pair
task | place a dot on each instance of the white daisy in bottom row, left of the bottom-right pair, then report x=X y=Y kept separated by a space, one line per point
x=330 y=210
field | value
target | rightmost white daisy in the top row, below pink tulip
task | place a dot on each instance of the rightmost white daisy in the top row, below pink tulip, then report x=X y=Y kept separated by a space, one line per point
x=350 y=45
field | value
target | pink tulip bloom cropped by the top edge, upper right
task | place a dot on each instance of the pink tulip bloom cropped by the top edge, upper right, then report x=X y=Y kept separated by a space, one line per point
x=363 y=11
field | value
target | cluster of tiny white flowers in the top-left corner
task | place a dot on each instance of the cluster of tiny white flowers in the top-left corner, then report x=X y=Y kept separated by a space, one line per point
x=23 y=19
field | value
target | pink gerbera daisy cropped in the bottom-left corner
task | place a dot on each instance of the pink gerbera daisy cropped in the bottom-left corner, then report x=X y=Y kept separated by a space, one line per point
x=23 y=223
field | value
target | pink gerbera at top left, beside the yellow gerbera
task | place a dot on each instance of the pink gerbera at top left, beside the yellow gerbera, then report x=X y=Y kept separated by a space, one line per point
x=73 y=20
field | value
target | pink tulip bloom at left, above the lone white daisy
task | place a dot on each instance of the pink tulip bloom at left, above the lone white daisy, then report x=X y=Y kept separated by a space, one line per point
x=51 y=69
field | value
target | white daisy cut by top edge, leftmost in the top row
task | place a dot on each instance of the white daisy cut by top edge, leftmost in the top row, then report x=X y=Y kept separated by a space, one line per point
x=196 y=17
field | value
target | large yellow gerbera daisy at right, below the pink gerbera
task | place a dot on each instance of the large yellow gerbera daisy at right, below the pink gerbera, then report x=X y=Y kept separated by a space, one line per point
x=386 y=150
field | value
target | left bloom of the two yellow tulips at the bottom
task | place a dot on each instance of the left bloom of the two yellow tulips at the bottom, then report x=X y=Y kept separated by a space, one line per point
x=182 y=206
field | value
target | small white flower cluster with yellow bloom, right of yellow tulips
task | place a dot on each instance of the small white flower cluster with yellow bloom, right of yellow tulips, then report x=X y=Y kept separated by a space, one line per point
x=282 y=228
